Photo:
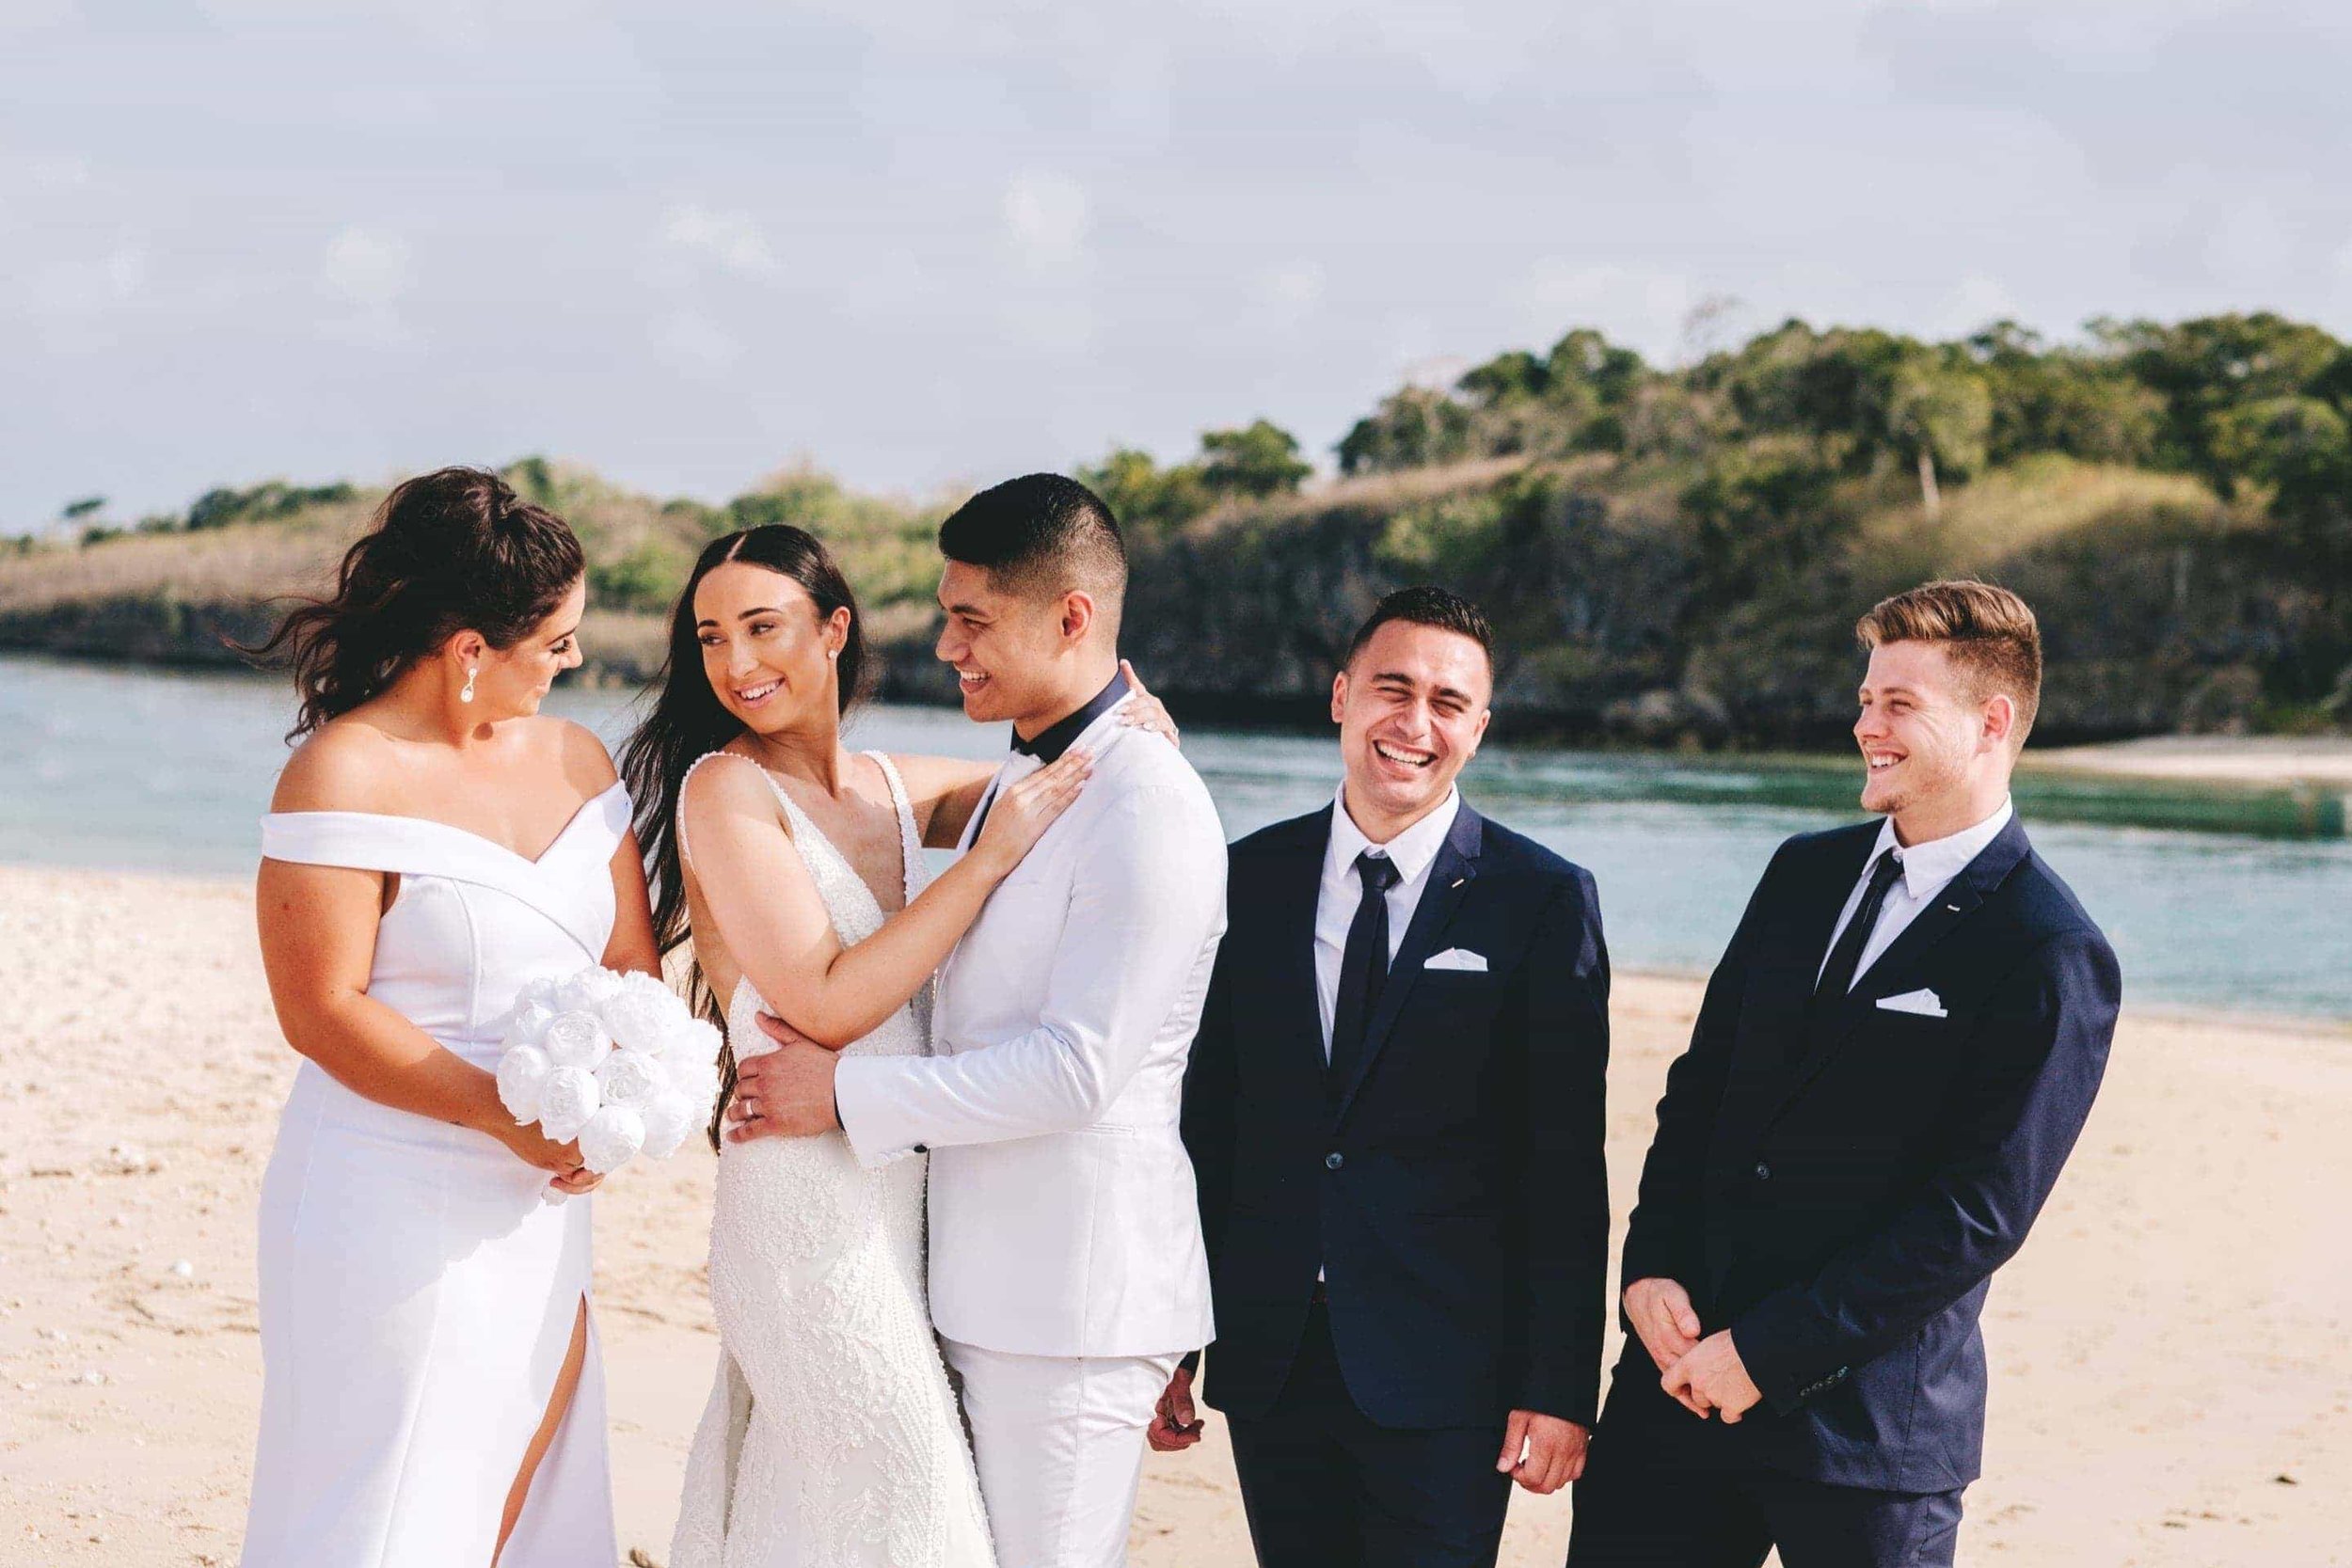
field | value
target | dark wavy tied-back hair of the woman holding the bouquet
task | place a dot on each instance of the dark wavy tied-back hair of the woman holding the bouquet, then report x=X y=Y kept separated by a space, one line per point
x=448 y=551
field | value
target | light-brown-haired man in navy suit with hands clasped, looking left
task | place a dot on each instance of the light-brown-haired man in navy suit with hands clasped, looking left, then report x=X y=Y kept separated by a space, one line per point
x=1887 y=1073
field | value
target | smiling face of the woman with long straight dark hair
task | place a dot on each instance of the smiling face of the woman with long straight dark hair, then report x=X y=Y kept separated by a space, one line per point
x=768 y=655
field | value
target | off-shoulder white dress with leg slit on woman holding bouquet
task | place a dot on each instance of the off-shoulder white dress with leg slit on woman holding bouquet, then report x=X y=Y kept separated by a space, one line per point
x=417 y=1296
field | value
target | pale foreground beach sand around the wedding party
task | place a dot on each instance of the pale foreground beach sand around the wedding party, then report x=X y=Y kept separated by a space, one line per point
x=2172 y=1353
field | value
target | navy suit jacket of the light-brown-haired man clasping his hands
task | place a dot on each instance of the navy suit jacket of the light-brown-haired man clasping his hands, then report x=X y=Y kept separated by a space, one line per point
x=1840 y=1188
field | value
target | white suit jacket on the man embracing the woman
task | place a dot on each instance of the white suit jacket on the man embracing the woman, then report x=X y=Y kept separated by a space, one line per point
x=1064 y=1217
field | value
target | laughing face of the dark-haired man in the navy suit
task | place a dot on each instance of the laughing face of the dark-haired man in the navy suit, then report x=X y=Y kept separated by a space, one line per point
x=1410 y=711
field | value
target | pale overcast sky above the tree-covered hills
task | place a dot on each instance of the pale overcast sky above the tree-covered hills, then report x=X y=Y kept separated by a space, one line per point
x=951 y=239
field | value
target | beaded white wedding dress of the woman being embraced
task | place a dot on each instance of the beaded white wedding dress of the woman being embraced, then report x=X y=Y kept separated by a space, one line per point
x=831 y=1438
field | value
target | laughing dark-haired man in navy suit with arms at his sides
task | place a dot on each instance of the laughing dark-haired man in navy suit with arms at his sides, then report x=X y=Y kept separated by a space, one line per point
x=1396 y=1120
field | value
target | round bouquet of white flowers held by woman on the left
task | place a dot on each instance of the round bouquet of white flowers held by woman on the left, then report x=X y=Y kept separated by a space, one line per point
x=613 y=1061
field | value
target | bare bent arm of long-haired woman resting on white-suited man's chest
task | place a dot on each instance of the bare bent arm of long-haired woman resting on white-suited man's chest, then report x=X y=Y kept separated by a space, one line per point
x=777 y=927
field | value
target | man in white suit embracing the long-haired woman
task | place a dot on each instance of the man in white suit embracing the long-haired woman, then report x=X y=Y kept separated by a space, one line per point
x=1067 y=1257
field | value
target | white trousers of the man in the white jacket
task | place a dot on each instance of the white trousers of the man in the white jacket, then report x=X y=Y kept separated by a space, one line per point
x=1060 y=1447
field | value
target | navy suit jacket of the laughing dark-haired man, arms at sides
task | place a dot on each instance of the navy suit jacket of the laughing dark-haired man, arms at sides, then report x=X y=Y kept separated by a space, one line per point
x=1455 y=1186
